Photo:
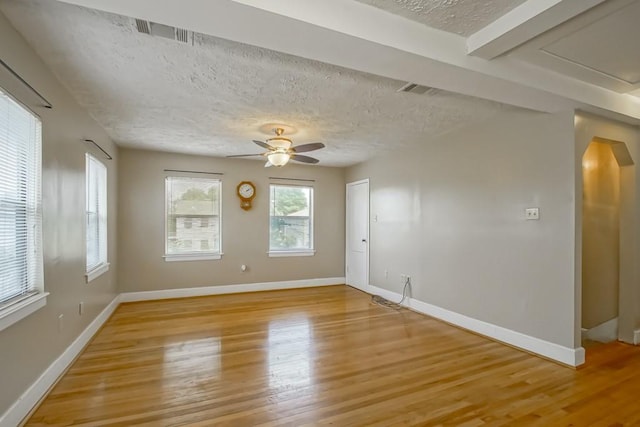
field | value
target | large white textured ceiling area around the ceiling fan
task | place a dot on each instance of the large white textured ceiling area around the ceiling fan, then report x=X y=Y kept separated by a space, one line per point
x=212 y=97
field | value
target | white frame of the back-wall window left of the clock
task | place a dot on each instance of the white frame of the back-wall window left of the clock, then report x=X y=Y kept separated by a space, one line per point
x=199 y=255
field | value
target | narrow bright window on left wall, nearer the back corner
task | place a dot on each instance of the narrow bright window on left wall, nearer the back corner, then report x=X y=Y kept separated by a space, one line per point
x=96 y=212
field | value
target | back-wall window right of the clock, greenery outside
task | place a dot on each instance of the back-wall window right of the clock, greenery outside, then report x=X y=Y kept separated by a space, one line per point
x=291 y=220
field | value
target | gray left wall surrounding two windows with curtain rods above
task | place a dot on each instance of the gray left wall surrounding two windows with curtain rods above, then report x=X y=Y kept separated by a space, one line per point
x=28 y=347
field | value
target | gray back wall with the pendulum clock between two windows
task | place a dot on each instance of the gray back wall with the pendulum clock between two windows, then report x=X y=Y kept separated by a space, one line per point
x=245 y=234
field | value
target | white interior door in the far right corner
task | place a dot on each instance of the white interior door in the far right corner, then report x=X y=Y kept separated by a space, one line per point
x=357 y=239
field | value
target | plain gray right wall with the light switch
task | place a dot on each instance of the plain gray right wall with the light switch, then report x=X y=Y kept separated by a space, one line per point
x=451 y=215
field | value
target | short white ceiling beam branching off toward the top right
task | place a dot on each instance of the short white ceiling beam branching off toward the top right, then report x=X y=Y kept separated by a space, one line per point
x=524 y=23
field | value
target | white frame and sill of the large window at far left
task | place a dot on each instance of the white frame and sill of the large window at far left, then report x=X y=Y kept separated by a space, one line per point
x=14 y=309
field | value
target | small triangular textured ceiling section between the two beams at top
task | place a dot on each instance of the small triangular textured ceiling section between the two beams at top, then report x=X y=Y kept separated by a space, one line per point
x=463 y=17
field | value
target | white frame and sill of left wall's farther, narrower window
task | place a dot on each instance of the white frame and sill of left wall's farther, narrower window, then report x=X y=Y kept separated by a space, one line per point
x=102 y=217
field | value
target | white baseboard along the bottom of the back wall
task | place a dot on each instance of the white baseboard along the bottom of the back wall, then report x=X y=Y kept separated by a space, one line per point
x=228 y=289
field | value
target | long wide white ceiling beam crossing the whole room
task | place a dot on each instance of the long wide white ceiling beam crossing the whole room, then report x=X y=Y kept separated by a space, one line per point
x=364 y=38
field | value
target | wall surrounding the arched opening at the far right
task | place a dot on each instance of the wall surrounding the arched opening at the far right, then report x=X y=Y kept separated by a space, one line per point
x=588 y=127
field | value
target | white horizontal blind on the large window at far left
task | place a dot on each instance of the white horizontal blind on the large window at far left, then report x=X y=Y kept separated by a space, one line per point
x=20 y=202
